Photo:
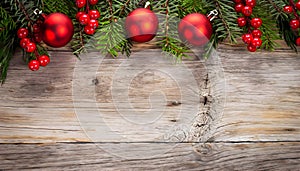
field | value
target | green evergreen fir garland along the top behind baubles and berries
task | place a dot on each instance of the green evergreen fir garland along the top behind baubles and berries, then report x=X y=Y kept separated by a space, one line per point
x=110 y=38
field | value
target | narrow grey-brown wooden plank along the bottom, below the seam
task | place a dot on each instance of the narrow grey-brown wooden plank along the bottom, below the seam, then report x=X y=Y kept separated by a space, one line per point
x=169 y=156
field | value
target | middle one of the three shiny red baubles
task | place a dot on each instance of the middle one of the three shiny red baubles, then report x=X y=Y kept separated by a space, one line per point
x=141 y=25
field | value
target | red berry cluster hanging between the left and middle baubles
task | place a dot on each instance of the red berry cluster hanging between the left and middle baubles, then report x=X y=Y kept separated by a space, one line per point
x=88 y=18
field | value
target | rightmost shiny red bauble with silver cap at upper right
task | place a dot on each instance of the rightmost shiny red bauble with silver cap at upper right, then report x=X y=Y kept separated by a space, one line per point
x=195 y=29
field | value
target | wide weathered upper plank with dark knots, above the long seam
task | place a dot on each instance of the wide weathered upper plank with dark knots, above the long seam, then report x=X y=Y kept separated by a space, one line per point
x=262 y=99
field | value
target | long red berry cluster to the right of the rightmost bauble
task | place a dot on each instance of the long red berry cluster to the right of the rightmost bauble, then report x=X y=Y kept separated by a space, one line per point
x=253 y=37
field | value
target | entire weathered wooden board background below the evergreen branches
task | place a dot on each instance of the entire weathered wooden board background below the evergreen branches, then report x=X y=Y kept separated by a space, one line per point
x=248 y=115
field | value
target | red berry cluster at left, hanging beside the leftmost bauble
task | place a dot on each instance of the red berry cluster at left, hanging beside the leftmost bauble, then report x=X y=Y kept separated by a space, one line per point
x=29 y=45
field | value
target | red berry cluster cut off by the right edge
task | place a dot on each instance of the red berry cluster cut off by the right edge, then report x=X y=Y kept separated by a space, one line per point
x=294 y=23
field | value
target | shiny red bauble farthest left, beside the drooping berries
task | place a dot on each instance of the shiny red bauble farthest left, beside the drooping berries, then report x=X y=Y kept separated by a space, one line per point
x=57 y=30
